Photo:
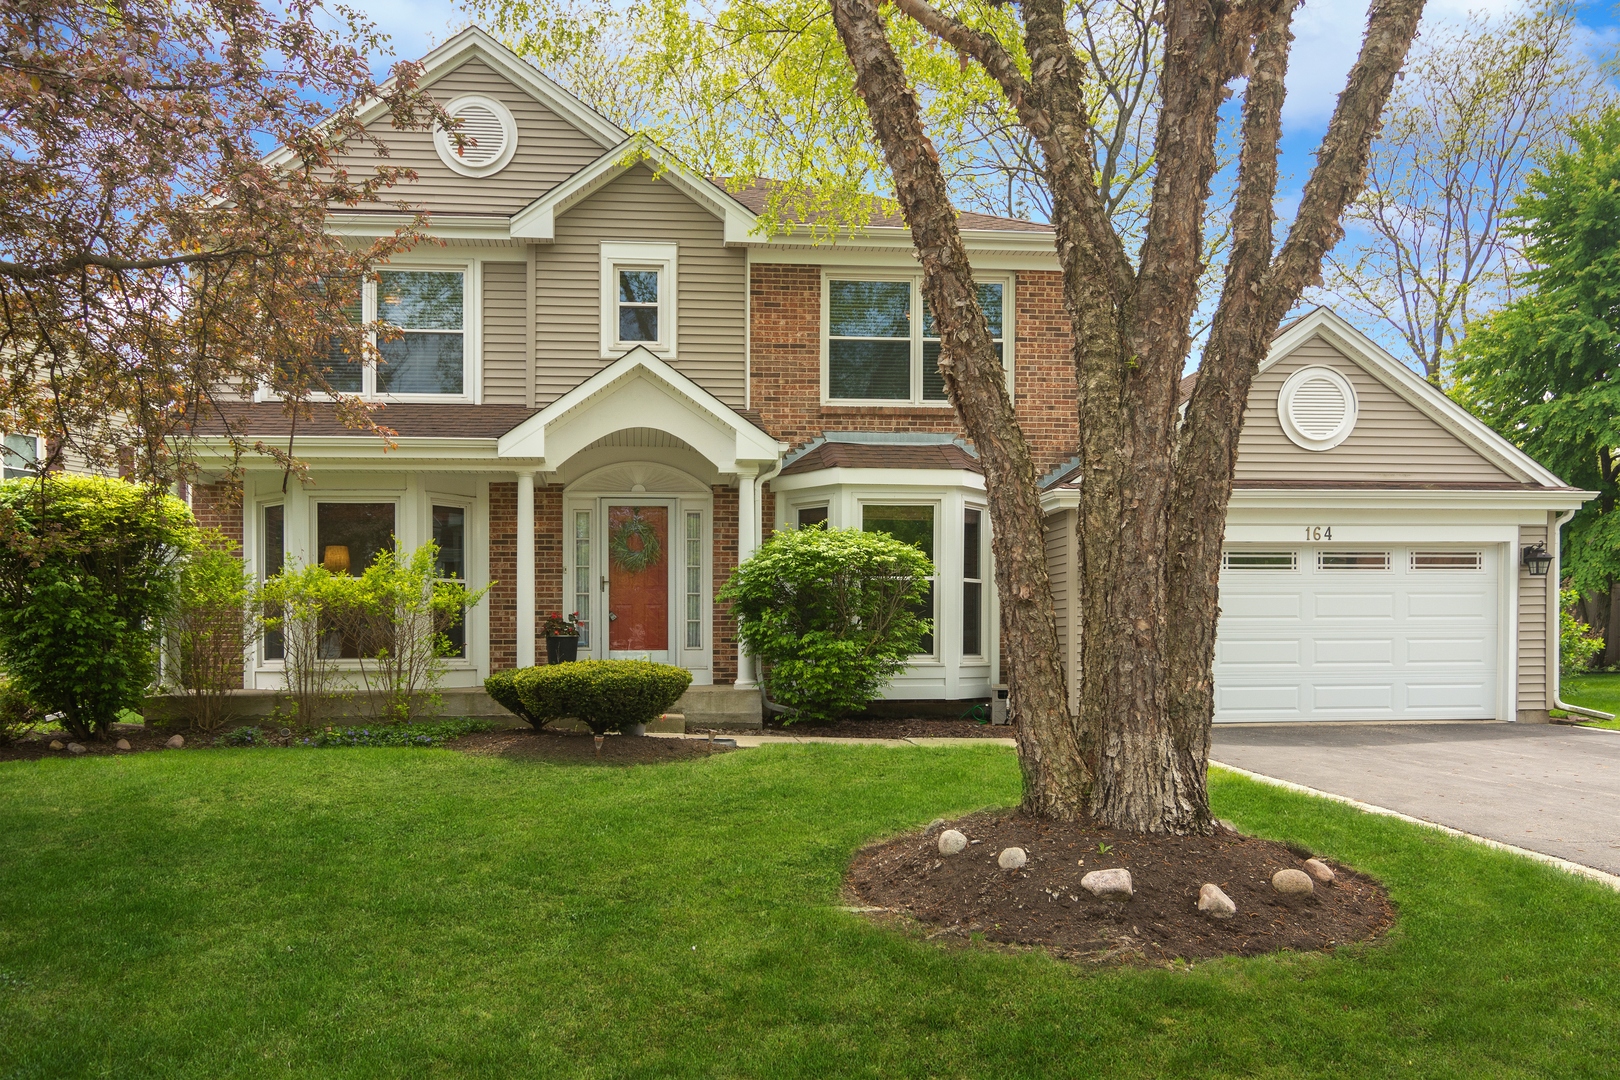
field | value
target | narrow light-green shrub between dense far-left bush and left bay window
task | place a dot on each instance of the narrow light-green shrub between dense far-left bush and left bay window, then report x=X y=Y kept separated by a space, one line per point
x=210 y=629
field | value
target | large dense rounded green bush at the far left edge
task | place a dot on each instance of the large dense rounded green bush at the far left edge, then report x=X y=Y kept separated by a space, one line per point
x=88 y=571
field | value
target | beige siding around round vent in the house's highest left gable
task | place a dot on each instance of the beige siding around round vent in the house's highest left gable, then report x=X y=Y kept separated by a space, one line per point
x=548 y=151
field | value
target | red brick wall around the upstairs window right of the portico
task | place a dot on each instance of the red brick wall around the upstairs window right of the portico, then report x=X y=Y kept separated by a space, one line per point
x=787 y=367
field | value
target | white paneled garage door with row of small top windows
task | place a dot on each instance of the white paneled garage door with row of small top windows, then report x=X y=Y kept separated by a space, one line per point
x=1357 y=634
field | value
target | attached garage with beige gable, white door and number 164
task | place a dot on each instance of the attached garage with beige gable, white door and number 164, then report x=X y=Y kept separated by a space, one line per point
x=1375 y=563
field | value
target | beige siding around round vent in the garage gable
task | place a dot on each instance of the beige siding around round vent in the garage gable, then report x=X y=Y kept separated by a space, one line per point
x=1392 y=441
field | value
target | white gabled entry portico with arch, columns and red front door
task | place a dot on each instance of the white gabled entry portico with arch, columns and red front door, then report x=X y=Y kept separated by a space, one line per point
x=652 y=516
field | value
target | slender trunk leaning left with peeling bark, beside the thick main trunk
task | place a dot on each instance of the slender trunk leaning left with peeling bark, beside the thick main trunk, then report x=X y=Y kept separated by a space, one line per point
x=1057 y=778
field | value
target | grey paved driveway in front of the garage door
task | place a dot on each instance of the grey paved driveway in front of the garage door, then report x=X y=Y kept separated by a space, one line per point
x=1545 y=788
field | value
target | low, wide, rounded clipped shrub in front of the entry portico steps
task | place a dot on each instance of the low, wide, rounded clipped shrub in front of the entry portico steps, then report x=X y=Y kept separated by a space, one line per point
x=605 y=695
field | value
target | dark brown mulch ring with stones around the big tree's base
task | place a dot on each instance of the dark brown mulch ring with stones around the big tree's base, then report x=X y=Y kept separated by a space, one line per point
x=968 y=896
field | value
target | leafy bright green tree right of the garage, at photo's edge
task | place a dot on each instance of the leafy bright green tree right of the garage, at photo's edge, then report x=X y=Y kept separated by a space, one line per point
x=1545 y=372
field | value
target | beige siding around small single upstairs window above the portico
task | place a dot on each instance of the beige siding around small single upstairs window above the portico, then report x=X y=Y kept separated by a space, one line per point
x=710 y=292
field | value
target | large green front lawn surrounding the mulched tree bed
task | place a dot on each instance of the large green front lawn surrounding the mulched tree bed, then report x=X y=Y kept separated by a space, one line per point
x=427 y=914
